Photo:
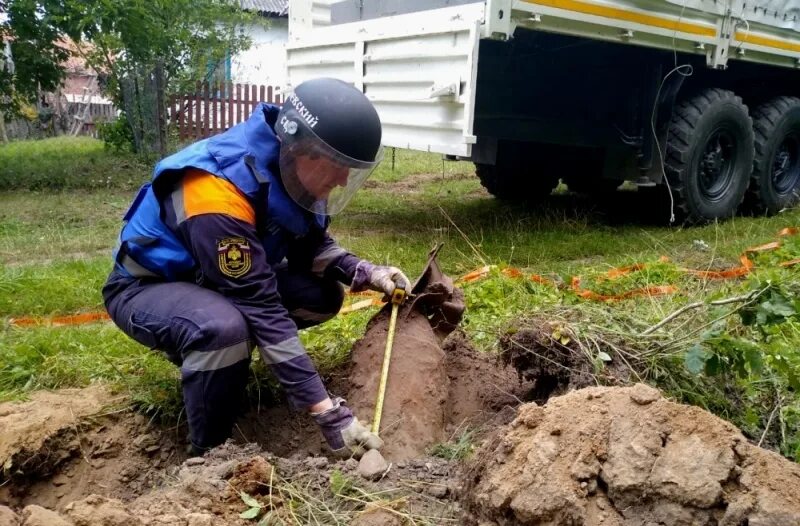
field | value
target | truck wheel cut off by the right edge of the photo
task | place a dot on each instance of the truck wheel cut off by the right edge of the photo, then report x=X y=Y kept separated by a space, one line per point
x=775 y=183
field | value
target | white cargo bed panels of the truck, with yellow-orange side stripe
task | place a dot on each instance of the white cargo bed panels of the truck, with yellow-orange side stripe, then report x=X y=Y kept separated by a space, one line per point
x=420 y=68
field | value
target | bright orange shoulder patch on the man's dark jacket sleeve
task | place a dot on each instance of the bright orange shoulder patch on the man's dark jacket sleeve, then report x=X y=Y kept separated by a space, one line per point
x=204 y=193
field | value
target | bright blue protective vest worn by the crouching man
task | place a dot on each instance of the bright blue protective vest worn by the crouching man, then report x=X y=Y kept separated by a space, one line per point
x=247 y=156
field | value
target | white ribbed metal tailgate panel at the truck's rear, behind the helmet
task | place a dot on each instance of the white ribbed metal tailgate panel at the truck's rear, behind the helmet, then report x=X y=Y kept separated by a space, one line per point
x=418 y=69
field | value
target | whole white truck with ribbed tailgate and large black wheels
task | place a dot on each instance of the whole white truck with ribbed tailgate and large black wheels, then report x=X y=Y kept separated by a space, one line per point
x=700 y=98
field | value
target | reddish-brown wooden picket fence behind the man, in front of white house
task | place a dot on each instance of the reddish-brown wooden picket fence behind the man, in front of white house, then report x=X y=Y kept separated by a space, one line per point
x=213 y=108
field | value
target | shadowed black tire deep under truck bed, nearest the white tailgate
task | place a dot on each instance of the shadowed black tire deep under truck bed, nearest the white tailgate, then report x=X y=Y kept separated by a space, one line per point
x=519 y=174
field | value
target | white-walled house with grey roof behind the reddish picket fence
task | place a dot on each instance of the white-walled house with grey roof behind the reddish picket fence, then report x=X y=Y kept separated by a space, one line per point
x=265 y=61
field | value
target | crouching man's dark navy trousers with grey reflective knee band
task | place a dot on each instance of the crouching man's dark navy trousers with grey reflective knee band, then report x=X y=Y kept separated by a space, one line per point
x=203 y=333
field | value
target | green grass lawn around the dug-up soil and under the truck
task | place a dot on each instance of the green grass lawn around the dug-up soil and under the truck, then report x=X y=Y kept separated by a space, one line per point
x=56 y=240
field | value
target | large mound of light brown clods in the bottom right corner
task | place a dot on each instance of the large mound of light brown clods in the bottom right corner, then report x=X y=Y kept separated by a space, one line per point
x=626 y=456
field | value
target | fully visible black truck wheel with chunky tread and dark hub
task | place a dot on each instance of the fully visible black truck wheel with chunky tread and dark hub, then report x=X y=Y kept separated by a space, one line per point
x=709 y=155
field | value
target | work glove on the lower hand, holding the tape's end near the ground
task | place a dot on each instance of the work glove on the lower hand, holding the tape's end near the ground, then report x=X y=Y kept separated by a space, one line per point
x=345 y=435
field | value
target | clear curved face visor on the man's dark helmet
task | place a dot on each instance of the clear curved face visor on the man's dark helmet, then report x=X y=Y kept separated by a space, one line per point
x=318 y=177
